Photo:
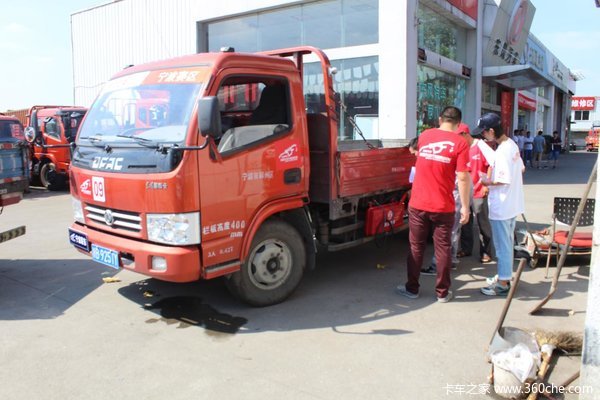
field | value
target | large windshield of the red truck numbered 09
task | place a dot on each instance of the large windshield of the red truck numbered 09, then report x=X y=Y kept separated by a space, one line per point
x=152 y=106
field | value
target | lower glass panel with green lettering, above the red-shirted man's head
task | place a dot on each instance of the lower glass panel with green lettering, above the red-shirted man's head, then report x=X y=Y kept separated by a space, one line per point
x=436 y=90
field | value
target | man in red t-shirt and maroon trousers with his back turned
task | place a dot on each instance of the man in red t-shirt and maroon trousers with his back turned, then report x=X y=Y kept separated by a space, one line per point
x=443 y=158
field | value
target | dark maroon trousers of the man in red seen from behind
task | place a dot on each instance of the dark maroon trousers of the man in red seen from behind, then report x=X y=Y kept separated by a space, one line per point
x=420 y=224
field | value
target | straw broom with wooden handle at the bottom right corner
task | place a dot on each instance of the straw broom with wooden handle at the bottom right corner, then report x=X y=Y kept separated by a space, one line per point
x=567 y=342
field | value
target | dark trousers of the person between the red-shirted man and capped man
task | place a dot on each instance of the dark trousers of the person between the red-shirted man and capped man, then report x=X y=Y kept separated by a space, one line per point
x=479 y=207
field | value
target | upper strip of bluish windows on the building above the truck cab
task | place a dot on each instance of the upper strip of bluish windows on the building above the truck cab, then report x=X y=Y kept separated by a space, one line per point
x=324 y=24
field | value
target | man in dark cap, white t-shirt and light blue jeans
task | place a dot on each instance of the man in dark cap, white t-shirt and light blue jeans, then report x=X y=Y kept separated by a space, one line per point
x=505 y=200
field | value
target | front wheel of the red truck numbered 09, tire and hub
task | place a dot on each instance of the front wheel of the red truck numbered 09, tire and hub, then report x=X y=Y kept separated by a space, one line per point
x=273 y=268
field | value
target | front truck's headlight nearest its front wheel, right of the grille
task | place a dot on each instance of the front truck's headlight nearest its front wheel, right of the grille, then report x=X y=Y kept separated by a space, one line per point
x=180 y=229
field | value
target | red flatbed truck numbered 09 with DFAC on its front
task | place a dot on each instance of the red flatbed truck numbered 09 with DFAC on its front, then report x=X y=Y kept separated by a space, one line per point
x=225 y=173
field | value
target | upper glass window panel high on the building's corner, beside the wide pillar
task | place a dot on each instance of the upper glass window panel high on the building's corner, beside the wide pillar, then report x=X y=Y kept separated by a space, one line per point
x=440 y=35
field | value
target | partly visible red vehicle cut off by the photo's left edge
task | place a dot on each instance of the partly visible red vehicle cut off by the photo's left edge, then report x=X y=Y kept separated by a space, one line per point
x=14 y=168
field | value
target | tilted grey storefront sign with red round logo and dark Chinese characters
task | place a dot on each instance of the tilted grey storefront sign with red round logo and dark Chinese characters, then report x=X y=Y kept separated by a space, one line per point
x=510 y=32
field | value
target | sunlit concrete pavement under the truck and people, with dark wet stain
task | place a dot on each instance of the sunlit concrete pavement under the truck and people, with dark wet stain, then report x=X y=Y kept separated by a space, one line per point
x=345 y=334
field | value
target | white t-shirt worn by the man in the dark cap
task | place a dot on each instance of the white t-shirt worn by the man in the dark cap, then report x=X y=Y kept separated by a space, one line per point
x=507 y=201
